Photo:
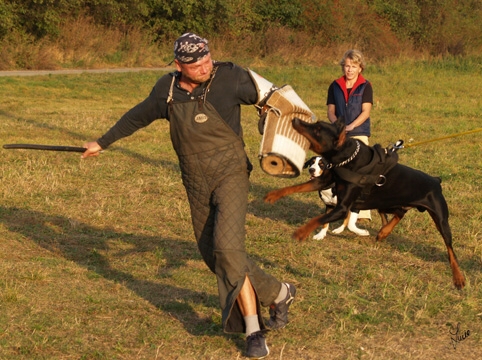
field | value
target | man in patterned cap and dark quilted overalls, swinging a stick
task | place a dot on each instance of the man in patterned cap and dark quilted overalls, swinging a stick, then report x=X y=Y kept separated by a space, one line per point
x=202 y=102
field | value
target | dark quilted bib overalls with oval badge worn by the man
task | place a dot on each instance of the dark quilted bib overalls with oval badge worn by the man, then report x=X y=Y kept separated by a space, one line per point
x=214 y=172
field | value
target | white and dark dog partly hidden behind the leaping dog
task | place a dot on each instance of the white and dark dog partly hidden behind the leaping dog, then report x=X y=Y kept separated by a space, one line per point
x=315 y=167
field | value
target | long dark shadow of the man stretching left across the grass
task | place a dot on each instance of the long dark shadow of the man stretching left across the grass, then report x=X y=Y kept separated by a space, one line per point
x=81 y=243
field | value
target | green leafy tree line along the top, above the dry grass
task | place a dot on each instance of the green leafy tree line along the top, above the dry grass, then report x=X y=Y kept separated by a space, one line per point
x=437 y=26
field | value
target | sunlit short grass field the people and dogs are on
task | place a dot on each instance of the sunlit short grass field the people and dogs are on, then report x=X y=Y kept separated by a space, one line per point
x=98 y=259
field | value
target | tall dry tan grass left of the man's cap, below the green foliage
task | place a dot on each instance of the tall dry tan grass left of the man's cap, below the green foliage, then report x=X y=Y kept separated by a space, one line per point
x=83 y=44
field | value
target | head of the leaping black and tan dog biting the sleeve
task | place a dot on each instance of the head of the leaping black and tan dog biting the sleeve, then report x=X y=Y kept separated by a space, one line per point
x=323 y=136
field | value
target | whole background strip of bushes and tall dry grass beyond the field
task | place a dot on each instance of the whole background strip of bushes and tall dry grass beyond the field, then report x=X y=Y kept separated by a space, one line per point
x=71 y=33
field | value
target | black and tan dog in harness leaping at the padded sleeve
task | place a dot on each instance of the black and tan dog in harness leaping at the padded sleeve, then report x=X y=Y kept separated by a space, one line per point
x=370 y=178
